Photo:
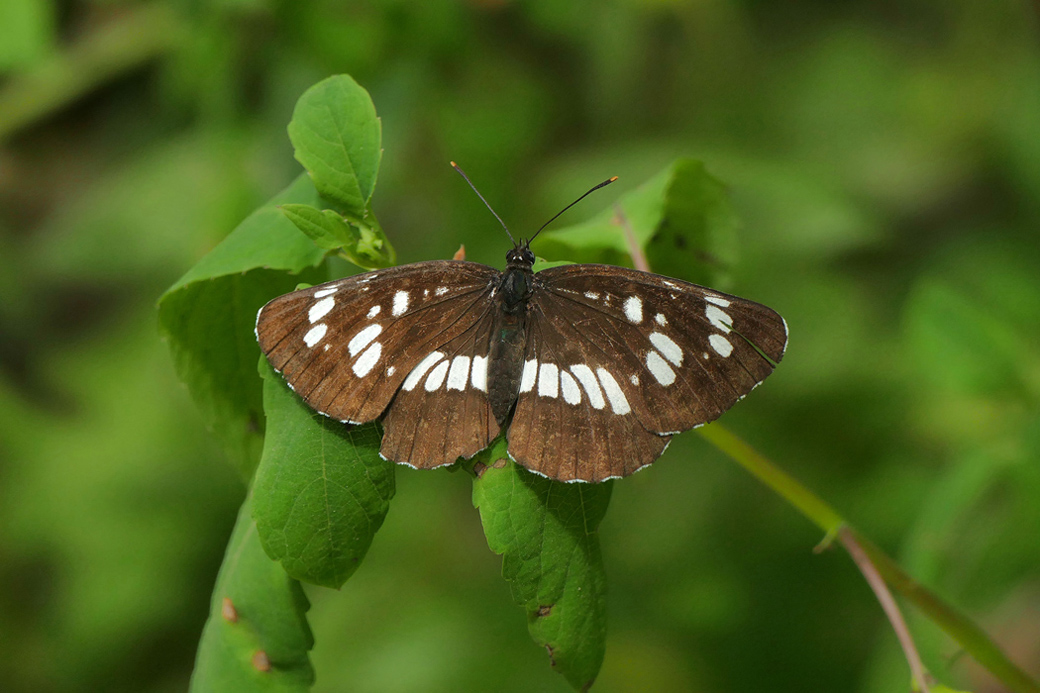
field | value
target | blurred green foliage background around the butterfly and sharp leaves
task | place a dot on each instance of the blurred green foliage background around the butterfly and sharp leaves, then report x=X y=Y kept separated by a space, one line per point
x=885 y=158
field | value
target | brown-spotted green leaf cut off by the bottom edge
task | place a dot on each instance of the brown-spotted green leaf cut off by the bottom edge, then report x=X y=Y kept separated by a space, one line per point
x=256 y=637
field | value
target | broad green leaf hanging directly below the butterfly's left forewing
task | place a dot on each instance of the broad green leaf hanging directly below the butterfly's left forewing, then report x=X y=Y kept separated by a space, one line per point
x=322 y=490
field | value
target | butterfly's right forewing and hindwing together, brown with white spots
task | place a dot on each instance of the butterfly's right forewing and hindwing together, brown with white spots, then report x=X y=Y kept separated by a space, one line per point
x=651 y=356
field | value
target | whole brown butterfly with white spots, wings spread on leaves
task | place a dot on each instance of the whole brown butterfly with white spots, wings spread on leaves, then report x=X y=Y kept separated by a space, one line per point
x=589 y=369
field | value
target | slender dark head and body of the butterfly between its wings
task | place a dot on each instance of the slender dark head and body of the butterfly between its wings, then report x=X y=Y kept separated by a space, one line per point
x=510 y=336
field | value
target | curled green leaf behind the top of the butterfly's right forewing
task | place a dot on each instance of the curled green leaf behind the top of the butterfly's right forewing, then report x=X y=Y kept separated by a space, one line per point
x=682 y=219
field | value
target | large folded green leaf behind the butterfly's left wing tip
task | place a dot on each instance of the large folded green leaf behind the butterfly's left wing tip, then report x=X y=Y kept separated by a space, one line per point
x=209 y=319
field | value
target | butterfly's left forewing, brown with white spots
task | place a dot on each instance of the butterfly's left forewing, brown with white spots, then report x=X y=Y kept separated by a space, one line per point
x=347 y=347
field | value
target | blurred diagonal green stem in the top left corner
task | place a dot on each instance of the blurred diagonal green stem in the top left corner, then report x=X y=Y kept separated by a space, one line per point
x=134 y=39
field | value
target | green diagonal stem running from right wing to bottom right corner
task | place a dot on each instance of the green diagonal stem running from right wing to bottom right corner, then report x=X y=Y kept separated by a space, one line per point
x=956 y=625
